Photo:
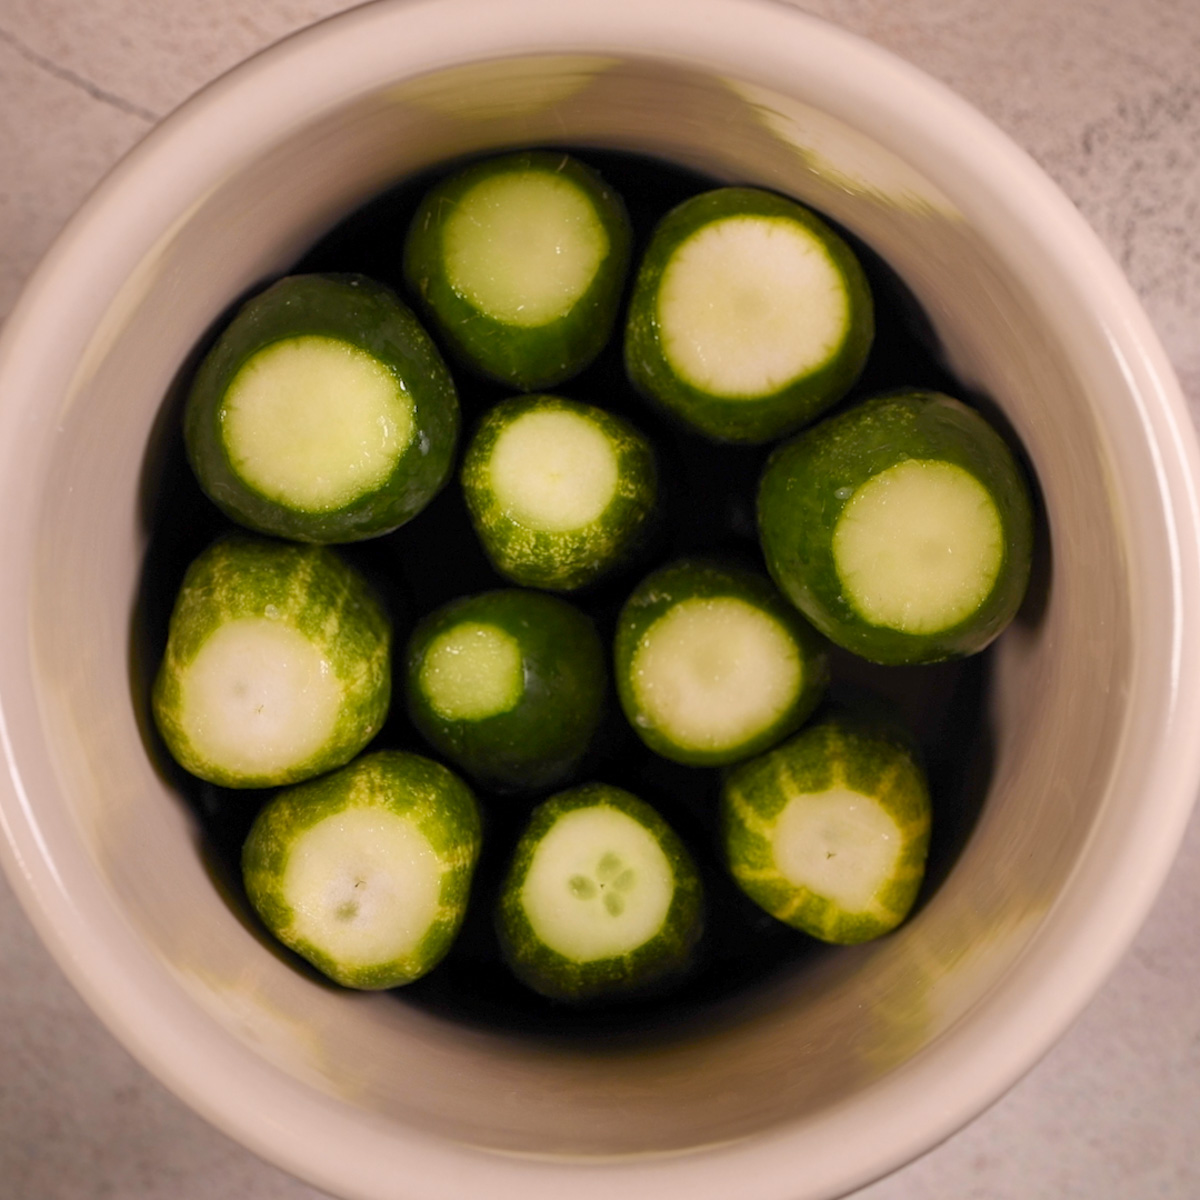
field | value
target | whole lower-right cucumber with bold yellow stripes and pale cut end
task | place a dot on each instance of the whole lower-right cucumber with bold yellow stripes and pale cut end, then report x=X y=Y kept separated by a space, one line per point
x=830 y=832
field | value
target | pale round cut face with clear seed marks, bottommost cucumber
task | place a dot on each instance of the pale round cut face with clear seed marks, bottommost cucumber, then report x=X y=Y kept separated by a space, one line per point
x=599 y=886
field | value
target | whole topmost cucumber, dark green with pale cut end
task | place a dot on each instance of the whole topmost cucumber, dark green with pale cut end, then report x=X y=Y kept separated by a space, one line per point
x=520 y=263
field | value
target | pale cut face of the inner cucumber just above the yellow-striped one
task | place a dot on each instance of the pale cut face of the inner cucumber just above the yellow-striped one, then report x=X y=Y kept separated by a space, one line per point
x=713 y=673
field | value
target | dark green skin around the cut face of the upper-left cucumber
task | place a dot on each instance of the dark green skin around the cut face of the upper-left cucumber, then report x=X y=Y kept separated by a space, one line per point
x=370 y=316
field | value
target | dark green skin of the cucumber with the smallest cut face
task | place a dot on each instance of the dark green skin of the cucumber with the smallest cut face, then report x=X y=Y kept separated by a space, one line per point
x=543 y=740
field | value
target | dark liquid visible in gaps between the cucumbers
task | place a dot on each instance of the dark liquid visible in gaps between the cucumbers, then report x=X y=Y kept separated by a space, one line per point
x=709 y=509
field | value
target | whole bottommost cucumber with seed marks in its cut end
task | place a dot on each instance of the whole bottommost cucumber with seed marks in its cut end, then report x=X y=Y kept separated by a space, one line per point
x=602 y=899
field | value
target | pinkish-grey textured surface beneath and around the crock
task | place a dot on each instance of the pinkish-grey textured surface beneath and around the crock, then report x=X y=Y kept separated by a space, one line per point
x=1106 y=95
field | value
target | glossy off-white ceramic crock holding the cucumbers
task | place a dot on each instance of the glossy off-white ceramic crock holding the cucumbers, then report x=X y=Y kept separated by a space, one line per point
x=830 y=1077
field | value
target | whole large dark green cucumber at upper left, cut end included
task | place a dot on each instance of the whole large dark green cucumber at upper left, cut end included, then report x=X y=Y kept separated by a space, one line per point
x=323 y=413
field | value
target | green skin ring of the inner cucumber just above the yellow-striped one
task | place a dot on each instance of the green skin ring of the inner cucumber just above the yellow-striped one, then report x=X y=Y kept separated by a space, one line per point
x=694 y=578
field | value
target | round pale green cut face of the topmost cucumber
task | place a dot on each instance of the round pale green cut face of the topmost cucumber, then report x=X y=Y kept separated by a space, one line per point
x=524 y=247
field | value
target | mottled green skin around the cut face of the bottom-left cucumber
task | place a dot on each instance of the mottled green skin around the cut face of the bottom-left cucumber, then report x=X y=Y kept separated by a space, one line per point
x=442 y=807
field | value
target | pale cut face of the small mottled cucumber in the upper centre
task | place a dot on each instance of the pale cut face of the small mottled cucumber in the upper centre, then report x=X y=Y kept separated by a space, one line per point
x=554 y=471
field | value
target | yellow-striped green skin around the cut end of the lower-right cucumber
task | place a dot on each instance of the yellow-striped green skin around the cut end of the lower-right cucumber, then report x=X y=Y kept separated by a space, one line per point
x=871 y=759
